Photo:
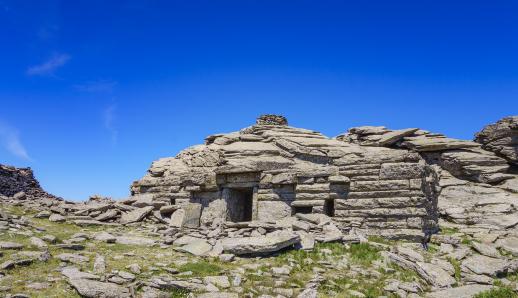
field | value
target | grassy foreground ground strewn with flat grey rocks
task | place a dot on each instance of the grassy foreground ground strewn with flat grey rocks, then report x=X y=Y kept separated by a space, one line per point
x=41 y=258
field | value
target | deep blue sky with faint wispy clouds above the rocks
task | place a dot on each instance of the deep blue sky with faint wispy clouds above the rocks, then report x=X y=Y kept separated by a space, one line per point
x=91 y=92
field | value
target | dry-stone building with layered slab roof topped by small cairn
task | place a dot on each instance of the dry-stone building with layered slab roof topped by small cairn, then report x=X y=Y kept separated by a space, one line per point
x=270 y=171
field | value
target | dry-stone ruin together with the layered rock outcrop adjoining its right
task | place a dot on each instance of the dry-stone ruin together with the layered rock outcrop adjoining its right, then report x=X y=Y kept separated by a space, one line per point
x=370 y=181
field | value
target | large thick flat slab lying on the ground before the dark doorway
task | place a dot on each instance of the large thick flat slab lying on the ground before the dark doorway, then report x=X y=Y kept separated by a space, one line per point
x=260 y=244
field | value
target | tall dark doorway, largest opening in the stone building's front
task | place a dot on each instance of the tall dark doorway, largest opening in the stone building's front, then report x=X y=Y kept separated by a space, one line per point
x=239 y=204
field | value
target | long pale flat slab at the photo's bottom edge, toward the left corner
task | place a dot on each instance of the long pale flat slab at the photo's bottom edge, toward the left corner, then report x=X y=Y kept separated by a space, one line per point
x=95 y=289
